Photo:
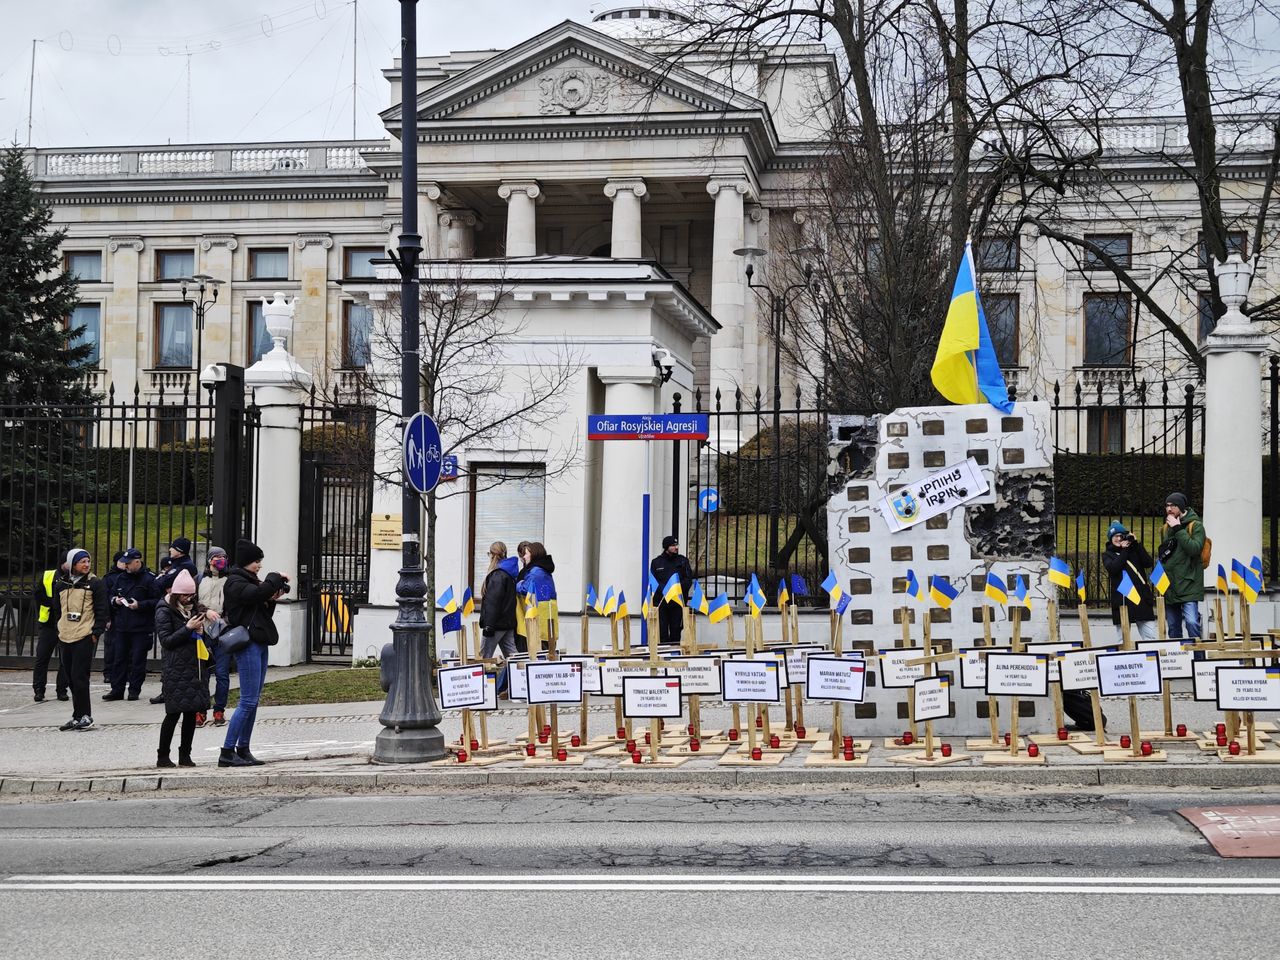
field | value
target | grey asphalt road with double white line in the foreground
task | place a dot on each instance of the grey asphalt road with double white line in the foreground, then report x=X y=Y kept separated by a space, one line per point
x=541 y=874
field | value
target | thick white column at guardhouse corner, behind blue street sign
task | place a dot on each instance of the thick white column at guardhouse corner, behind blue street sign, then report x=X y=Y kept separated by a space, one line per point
x=629 y=390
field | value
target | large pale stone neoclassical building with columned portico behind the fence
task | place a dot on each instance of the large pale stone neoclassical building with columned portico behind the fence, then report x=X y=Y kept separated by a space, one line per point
x=612 y=211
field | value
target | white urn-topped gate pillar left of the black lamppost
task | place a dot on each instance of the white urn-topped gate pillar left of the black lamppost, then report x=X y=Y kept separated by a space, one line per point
x=280 y=388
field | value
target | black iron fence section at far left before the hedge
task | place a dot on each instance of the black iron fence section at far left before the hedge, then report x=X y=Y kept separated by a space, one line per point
x=118 y=473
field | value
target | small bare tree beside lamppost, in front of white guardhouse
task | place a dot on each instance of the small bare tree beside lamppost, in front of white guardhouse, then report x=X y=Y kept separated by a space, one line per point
x=484 y=381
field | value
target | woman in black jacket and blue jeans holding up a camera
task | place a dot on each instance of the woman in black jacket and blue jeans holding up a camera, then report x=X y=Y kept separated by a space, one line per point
x=250 y=604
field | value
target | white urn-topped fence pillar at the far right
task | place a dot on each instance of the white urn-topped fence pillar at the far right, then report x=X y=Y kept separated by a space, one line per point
x=1233 y=426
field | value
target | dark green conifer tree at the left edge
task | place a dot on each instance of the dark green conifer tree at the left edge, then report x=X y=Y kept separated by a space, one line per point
x=44 y=404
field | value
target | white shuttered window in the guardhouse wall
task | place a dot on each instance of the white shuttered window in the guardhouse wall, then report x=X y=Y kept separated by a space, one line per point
x=509 y=504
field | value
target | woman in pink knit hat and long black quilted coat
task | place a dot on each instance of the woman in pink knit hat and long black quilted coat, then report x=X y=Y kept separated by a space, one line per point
x=181 y=629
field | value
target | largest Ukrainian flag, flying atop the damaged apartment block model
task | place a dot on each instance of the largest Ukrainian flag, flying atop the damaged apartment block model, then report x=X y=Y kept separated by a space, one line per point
x=966 y=369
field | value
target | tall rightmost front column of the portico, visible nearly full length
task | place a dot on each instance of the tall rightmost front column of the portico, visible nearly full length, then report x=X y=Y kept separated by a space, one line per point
x=729 y=282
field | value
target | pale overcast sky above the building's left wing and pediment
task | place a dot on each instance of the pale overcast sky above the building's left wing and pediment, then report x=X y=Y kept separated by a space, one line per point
x=115 y=72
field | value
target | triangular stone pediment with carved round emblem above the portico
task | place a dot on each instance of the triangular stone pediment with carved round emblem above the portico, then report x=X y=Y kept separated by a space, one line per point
x=574 y=72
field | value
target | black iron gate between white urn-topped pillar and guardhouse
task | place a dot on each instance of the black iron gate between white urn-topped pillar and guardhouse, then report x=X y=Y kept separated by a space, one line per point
x=333 y=540
